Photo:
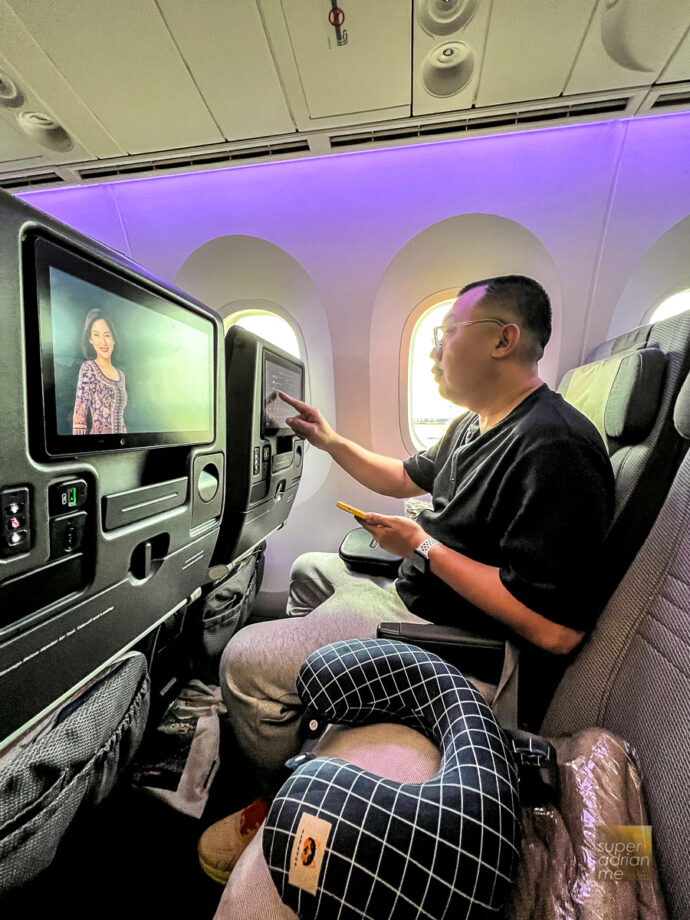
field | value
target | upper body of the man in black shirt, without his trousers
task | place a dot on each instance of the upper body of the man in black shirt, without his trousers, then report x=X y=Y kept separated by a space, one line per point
x=522 y=489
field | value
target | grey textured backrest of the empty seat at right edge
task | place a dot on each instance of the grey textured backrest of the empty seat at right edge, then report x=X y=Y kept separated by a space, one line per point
x=633 y=676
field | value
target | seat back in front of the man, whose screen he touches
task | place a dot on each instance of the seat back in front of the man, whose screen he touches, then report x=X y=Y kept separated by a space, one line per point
x=264 y=468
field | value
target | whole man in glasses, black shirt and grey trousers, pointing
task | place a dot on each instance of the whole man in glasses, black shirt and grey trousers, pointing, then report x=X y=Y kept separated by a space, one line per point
x=522 y=497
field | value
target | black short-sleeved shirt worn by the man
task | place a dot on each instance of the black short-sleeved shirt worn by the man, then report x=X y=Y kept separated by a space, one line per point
x=532 y=496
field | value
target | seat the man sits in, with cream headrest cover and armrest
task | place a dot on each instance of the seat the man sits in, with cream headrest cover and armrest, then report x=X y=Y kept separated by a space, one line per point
x=628 y=388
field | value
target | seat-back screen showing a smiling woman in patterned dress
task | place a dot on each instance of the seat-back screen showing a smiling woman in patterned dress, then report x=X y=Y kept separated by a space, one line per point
x=122 y=367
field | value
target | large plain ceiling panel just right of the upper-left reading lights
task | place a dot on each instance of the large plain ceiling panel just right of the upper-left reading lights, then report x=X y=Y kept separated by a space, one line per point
x=120 y=58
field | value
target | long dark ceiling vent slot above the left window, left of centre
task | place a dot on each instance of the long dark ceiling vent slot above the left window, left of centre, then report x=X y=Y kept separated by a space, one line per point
x=167 y=165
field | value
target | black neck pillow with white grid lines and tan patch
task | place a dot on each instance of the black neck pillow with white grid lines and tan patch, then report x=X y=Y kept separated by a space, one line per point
x=446 y=848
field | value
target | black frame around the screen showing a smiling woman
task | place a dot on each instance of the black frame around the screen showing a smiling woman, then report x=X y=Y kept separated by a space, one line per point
x=43 y=254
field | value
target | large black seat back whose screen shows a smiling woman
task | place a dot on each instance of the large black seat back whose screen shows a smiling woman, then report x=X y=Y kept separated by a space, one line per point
x=111 y=493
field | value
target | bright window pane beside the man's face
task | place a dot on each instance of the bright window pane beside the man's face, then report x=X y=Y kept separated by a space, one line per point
x=428 y=413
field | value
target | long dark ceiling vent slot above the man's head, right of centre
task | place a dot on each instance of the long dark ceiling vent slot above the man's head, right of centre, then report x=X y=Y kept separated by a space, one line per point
x=475 y=121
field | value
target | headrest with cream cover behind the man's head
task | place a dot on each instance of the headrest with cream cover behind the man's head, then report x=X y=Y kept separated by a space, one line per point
x=619 y=394
